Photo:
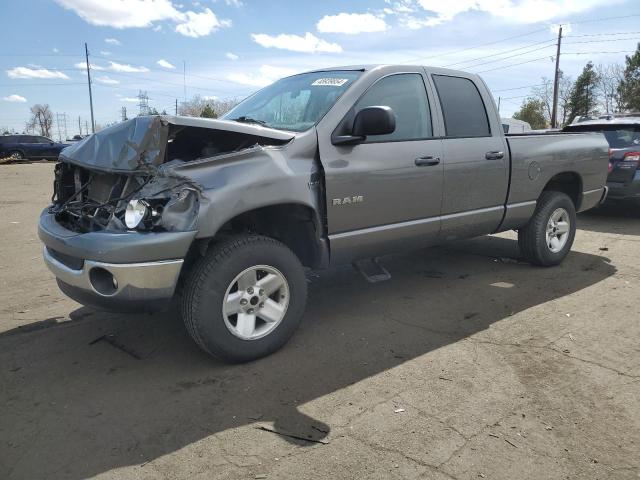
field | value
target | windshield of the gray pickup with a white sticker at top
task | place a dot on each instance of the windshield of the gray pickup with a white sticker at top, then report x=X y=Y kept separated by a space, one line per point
x=295 y=103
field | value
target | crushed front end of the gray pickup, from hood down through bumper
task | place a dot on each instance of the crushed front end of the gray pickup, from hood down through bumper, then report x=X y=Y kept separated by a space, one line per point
x=124 y=214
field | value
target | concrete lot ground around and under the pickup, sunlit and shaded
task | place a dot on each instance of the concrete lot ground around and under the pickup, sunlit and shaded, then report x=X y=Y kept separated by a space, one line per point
x=466 y=364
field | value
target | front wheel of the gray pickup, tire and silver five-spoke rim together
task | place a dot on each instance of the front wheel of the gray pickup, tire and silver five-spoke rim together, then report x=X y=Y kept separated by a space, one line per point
x=245 y=298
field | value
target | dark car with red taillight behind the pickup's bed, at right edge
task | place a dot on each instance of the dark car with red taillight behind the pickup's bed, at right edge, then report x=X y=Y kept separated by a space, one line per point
x=623 y=134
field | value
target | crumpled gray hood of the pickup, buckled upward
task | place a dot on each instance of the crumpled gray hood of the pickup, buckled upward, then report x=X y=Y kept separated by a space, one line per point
x=139 y=144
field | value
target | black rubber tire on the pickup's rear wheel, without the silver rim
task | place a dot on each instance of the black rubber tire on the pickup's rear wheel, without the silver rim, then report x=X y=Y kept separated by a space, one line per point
x=532 y=238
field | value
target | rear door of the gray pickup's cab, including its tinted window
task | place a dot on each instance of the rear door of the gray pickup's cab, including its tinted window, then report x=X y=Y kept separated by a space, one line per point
x=476 y=160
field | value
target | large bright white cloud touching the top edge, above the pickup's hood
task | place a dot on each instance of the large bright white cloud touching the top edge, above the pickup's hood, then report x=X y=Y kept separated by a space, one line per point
x=144 y=13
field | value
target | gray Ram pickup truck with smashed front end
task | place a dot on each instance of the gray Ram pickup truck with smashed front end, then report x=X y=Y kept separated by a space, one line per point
x=326 y=167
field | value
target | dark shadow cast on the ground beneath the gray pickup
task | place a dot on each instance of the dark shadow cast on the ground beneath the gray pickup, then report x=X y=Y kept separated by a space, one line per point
x=116 y=390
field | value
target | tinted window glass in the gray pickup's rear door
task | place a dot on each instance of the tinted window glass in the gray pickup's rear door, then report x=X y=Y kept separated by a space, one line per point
x=463 y=109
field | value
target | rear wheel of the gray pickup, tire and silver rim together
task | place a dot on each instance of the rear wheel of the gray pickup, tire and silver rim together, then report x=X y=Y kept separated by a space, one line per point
x=547 y=238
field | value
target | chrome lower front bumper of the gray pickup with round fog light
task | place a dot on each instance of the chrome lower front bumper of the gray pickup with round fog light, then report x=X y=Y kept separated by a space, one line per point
x=117 y=285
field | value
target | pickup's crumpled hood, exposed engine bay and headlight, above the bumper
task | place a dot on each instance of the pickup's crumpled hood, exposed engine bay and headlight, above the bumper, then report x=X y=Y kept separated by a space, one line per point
x=122 y=178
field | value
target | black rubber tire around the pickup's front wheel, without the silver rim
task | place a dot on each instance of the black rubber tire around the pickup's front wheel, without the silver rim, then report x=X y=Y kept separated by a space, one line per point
x=207 y=283
